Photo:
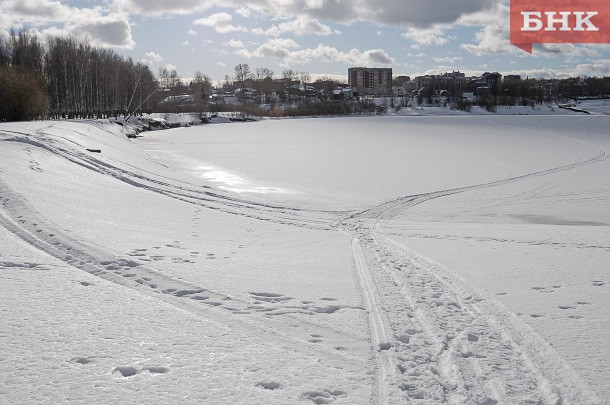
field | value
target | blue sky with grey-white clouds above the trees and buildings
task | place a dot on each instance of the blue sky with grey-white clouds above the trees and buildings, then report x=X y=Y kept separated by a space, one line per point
x=321 y=37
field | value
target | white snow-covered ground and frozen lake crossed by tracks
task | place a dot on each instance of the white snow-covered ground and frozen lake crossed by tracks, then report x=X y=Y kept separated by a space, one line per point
x=384 y=260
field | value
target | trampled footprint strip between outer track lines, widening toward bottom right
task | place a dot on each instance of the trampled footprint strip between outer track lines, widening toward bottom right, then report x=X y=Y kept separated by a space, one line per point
x=445 y=349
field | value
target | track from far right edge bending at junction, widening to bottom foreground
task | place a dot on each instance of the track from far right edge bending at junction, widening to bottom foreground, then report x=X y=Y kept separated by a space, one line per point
x=460 y=348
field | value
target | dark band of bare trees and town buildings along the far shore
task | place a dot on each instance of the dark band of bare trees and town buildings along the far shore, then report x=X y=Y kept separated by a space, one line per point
x=70 y=78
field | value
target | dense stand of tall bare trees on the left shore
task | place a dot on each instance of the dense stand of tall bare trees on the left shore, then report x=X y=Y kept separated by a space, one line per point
x=68 y=78
